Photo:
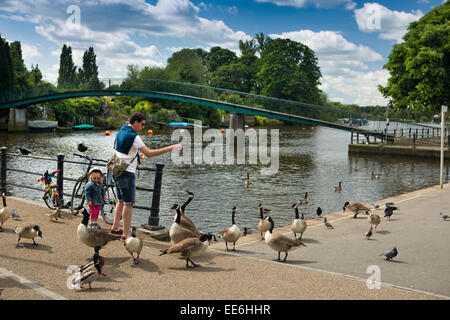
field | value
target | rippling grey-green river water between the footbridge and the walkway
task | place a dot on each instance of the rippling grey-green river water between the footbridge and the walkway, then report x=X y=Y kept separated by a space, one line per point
x=312 y=161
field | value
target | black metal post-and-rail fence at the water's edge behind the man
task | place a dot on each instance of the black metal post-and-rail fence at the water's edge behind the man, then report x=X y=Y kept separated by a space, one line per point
x=153 y=218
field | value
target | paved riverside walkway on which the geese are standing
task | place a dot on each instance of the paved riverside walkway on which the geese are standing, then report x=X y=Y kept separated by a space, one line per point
x=333 y=266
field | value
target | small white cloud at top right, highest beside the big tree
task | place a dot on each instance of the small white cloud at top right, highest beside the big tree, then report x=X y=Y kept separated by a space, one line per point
x=390 y=24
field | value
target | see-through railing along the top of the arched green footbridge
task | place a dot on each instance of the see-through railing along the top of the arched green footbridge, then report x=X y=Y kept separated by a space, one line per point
x=324 y=113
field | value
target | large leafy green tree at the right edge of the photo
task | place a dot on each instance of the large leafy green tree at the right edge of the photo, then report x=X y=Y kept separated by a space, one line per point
x=419 y=67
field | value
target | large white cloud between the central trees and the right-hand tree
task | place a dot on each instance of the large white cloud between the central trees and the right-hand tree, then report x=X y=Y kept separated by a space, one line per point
x=344 y=66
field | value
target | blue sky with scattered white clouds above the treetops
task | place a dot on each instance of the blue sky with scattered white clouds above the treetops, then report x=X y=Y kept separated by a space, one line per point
x=352 y=39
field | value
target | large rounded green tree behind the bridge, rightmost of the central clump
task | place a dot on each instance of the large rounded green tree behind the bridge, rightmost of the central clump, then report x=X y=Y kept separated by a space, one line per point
x=289 y=70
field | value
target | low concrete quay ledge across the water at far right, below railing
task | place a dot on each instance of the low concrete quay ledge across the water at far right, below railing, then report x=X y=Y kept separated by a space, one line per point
x=393 y=150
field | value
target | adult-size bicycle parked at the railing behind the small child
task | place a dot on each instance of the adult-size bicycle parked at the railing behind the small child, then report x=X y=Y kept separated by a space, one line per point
x=79 y=197
